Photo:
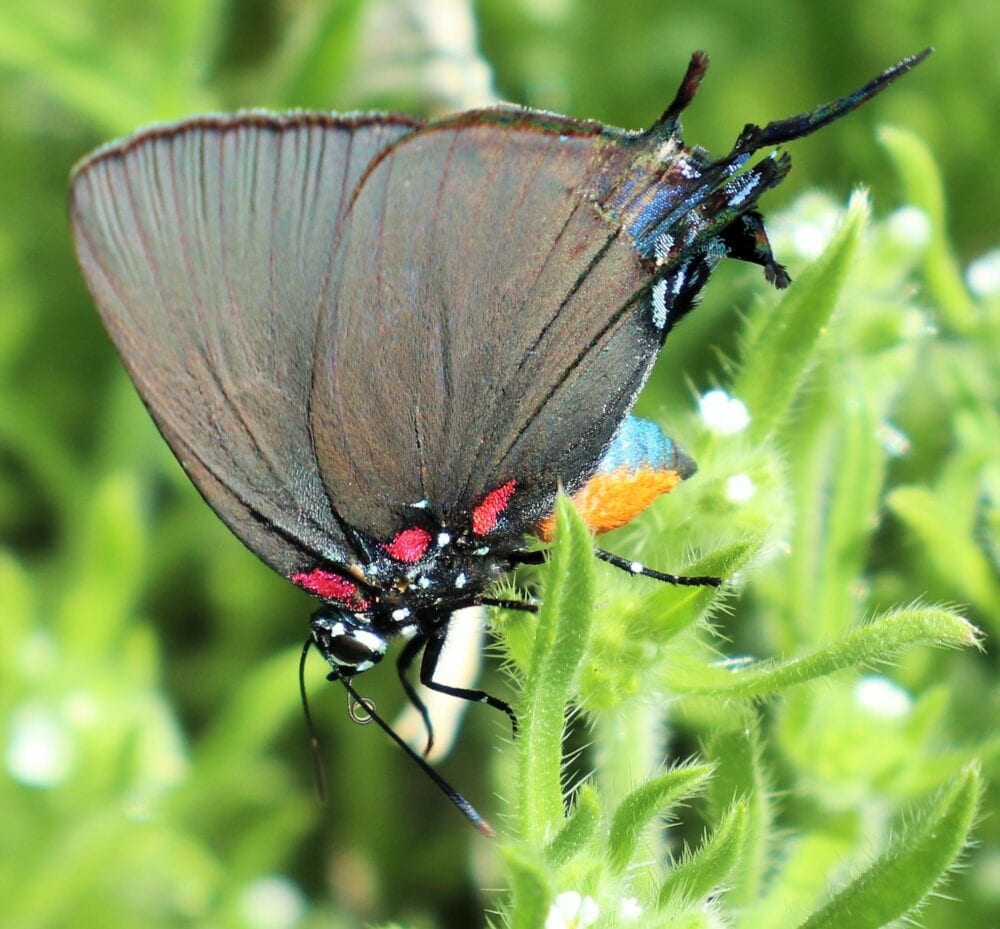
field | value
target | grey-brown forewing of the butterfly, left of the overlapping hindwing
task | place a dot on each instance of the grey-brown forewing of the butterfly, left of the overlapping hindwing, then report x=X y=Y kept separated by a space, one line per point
x=207 y=245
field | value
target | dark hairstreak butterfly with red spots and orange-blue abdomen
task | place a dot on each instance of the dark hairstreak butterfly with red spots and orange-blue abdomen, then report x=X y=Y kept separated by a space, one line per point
x=378 y=346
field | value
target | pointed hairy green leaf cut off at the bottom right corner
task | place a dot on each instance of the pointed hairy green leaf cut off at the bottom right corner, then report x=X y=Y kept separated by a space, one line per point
x=910 y=868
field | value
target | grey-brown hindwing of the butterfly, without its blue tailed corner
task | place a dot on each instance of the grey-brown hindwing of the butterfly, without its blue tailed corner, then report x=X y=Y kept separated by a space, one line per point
x=483 y=321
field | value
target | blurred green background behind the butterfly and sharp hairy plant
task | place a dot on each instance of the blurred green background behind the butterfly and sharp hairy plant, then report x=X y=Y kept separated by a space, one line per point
x=157 y=772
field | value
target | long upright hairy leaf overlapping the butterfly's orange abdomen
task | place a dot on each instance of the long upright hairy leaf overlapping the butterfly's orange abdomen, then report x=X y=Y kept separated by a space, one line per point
x=563 y=628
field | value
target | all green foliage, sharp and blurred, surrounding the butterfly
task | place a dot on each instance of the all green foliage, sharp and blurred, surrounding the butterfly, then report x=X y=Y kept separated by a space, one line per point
x=794 y=749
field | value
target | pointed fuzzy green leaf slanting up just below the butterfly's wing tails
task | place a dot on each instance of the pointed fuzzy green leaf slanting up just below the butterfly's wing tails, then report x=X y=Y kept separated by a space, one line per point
x=776 y=362
